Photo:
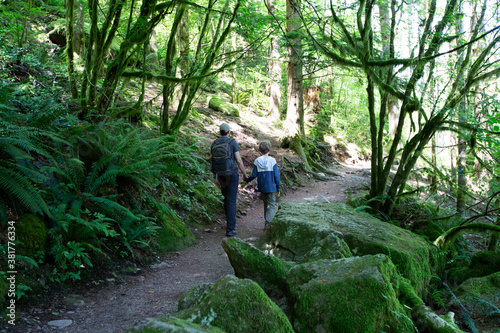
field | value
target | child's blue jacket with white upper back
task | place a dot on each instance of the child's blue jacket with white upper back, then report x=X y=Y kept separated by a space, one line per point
x=265 y=169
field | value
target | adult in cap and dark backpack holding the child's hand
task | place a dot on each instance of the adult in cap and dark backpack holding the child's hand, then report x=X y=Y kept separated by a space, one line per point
x=225 y=162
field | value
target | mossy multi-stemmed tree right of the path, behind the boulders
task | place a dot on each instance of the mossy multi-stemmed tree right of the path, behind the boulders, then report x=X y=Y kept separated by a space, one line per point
x=354 y=45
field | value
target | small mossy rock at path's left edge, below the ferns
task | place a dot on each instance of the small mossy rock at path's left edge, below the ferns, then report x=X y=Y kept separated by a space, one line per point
x=173 y=234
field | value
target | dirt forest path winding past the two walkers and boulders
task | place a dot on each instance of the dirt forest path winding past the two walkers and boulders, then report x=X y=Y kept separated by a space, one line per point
x=116 y=304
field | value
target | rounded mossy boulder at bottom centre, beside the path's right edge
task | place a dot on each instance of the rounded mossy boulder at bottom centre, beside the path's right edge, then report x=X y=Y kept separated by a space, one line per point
x=237 y=305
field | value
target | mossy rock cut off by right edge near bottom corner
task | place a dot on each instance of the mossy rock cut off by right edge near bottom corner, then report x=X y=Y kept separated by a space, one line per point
x=480 y=296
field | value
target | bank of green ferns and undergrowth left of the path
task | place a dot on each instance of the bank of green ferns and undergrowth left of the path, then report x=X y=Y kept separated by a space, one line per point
x=81 y=197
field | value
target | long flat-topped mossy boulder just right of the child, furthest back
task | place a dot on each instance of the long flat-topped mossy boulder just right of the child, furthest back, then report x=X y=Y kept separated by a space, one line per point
x=414 y=258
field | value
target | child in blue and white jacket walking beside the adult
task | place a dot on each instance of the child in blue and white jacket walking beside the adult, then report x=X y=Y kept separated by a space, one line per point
x=265 y=169
